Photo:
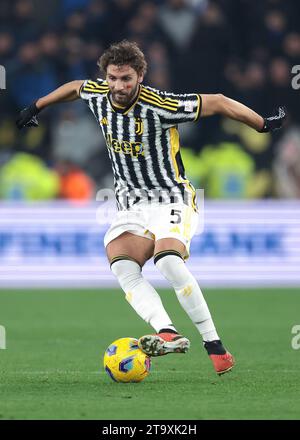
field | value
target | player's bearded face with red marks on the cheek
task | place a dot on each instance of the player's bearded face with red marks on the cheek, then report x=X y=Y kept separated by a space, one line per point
x=123 y=82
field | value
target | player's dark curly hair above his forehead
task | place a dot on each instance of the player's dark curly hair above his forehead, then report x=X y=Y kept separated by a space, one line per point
x=122 y=53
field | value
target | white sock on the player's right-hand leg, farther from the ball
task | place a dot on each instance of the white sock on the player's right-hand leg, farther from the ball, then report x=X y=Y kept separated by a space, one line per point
x=189 y=294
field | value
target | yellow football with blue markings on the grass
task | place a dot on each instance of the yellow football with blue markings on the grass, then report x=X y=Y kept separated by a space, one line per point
x=125 y=362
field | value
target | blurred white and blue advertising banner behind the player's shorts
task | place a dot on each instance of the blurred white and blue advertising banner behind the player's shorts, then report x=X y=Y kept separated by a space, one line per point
x=61 y=245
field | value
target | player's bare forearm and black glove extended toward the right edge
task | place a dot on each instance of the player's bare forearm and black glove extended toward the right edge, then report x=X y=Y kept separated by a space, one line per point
x=220 y=104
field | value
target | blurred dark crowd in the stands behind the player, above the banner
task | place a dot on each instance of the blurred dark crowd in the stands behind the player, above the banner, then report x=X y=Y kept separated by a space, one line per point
x=241 y=48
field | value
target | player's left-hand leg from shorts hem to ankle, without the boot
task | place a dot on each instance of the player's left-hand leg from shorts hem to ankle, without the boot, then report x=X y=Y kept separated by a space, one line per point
x=127 y=254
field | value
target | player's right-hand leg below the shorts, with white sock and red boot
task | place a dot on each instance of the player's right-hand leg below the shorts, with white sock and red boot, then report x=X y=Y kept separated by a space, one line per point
x=168 y=258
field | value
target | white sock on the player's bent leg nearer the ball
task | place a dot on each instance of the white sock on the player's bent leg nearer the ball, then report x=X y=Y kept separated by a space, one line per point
x=141 y=295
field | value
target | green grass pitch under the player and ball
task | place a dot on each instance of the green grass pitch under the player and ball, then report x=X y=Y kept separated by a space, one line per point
x=52 y=367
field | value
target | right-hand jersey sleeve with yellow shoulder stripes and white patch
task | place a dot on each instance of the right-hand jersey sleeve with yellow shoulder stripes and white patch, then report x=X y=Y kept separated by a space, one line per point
x=174 y=108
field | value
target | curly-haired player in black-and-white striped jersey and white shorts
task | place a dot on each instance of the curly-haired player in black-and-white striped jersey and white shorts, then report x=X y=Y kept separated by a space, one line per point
x=157 y=213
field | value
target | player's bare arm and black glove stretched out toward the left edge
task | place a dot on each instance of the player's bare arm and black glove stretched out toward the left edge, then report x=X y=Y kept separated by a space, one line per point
x=65 y=93
